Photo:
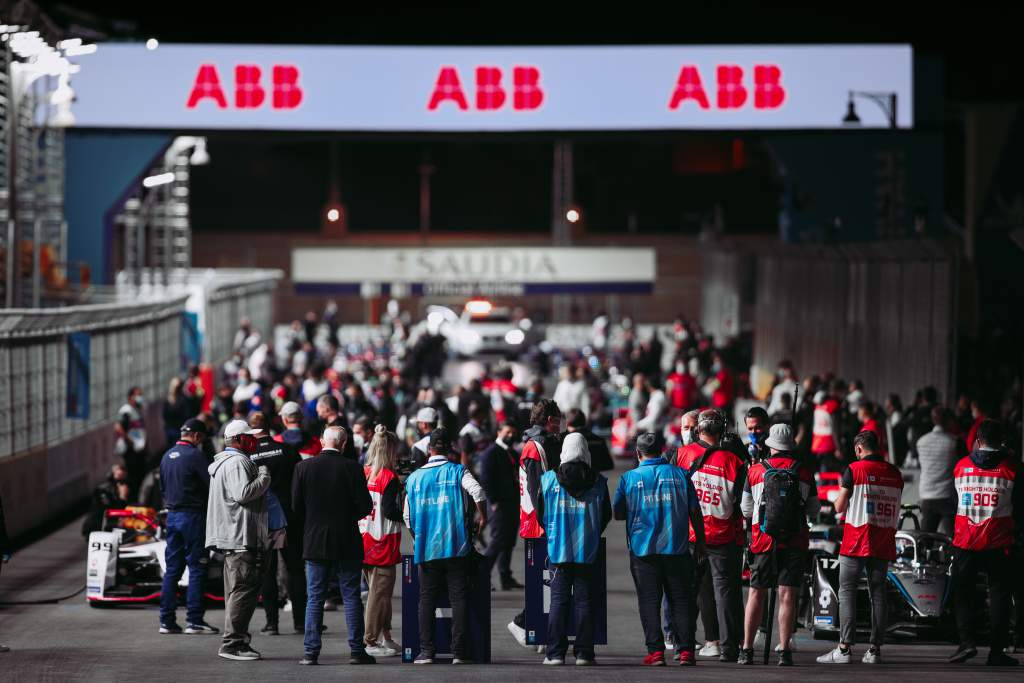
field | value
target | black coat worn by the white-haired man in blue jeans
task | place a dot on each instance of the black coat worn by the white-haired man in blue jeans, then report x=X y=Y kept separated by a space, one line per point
x=330 y=497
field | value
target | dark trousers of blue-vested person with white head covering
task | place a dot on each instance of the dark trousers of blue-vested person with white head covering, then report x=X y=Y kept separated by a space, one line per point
x=572 y=582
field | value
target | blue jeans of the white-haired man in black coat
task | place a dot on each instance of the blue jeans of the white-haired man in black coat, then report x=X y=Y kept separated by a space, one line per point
x=319 y=576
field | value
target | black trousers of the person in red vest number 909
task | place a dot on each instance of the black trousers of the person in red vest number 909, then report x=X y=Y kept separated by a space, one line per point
x=999 y=566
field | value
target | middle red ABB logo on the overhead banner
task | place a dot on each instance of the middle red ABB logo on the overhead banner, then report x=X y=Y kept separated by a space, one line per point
x=491 y=96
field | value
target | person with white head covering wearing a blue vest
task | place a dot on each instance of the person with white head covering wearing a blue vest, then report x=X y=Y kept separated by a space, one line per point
x=576 y=510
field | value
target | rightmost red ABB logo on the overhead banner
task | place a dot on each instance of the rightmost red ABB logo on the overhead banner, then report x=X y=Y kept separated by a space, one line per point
x=769 y=93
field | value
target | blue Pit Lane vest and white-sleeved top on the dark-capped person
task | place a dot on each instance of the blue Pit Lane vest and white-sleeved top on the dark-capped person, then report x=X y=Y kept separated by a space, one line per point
x=436 y=509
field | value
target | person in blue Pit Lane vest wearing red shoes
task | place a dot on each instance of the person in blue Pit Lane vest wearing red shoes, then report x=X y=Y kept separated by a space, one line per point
x=660 y=505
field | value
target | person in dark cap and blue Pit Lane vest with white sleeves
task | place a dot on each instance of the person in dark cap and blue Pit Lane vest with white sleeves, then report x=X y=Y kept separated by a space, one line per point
x=436 y=514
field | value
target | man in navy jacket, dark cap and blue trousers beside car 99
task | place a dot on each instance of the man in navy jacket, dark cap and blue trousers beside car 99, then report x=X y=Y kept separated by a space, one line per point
x=186 y=485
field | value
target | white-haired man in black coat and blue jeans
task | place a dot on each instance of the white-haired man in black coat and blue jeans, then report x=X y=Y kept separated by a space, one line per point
x=330 y=497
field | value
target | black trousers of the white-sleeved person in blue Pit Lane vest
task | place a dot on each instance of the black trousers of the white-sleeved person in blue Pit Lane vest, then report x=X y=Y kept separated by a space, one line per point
x=435 y=576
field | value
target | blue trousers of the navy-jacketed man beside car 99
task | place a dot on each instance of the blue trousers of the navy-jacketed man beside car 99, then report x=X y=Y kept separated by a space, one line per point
x=186 y=546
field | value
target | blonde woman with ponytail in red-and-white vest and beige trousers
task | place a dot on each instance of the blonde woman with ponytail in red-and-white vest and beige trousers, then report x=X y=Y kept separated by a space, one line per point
x=381 y=541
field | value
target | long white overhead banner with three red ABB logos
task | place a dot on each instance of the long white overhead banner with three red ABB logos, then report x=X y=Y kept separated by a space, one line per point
x=488 y=90
